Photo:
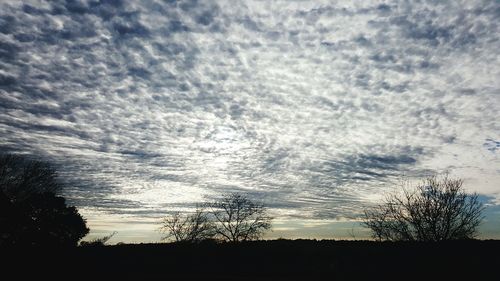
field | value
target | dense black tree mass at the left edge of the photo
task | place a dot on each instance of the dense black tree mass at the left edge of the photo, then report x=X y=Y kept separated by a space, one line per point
x=31 y=212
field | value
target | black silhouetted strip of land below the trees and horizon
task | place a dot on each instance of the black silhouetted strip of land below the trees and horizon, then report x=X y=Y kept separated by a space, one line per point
x=263 y=260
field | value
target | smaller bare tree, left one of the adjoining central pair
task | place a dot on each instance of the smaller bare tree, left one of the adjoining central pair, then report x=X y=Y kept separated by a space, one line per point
x=194 y=227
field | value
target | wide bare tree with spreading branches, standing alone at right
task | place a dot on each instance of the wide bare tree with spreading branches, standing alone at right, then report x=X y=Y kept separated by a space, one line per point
x=438 y=209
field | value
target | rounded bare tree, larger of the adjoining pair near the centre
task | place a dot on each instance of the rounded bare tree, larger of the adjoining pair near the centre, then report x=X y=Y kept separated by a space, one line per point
x=239 y=219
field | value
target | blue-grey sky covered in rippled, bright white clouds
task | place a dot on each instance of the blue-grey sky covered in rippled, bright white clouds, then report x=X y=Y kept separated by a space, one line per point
x=315 y=108
